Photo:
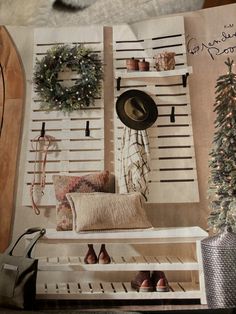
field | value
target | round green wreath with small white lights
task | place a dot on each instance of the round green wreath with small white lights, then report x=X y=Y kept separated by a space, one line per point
x=87 y=86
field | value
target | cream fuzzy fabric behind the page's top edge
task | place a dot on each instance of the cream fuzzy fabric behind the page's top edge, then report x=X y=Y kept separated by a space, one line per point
x=105 y=12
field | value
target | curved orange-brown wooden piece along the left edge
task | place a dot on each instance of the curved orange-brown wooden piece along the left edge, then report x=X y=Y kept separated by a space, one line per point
x=12 y=96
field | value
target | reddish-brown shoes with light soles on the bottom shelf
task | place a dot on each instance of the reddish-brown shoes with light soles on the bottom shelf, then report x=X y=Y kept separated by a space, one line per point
x=144 y=282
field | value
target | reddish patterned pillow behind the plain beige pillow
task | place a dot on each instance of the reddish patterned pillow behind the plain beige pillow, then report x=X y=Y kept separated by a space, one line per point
x=95 y=182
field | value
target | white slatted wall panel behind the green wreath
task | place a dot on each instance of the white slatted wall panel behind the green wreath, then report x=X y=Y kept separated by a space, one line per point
x=72 y=153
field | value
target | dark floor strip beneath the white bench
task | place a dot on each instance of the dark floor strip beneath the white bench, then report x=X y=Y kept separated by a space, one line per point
x=116 y=306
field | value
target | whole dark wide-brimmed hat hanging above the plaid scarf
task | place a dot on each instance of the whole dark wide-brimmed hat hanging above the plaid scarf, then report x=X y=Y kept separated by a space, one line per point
x=136 y=109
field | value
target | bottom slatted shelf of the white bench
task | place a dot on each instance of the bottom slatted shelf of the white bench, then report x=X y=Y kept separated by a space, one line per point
x=113 y=290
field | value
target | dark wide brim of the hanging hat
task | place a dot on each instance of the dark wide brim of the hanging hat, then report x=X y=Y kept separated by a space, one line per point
x=147 y=102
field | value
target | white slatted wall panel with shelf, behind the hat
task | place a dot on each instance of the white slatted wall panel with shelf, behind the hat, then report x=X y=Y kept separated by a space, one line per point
x=173 y=176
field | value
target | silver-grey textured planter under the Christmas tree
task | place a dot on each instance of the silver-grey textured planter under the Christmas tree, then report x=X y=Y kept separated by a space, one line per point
x=219 y=266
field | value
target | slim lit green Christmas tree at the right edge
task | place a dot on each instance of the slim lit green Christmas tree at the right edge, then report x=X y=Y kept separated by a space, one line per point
x=222 y=182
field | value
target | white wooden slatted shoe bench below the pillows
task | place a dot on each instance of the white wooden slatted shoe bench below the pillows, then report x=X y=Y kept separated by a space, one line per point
x=116 y=289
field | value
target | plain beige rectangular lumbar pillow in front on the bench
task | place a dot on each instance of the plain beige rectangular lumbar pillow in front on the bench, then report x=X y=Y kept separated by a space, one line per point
x=105 y=211
